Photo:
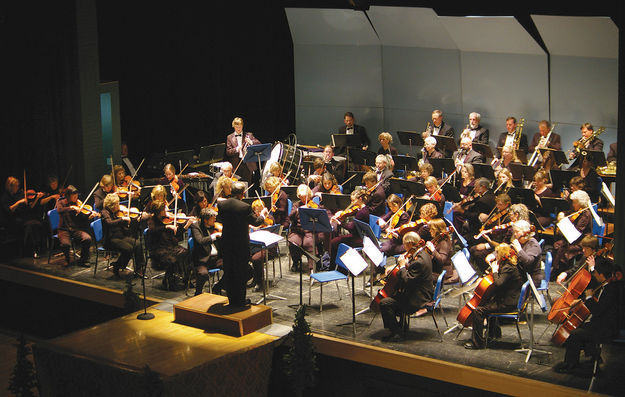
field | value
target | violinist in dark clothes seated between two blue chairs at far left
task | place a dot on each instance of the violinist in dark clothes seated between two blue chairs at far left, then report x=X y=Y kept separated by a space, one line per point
x=74 y=225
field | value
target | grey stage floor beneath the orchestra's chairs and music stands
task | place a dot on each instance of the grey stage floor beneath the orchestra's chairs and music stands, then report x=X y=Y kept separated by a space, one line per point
x=422 y=338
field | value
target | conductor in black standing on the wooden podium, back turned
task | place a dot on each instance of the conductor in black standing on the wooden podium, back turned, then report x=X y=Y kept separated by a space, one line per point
x=236 y=216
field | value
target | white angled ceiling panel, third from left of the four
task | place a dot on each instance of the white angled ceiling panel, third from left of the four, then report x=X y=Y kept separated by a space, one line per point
x=490 y=34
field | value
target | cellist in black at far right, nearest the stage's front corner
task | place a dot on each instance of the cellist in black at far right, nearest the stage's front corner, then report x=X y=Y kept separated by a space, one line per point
x=603 y=324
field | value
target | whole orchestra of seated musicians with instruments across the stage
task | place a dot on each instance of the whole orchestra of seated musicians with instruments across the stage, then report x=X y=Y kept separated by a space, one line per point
x=508 y=225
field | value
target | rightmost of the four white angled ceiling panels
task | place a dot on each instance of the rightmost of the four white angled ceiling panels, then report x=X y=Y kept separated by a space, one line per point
x=594 y=37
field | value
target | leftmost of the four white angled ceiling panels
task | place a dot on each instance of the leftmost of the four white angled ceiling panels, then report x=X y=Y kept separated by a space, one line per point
x=330 y=27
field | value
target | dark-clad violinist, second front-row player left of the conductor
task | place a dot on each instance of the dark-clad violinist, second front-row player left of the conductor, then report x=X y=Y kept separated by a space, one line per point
x=163 y=246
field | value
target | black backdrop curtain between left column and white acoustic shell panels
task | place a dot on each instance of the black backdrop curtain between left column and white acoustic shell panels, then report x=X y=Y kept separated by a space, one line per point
x=185 y=71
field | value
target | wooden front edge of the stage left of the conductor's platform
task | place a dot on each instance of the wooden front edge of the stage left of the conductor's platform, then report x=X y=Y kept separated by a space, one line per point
x=65 y=286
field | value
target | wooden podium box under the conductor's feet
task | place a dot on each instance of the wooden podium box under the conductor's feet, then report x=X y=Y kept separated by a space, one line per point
x=211 y=312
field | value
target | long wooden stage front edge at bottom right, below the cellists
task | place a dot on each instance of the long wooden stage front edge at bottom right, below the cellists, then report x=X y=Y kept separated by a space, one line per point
x=438 y=369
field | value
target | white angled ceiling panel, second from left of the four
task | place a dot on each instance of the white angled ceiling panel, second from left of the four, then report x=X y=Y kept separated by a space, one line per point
x=410 y=27
